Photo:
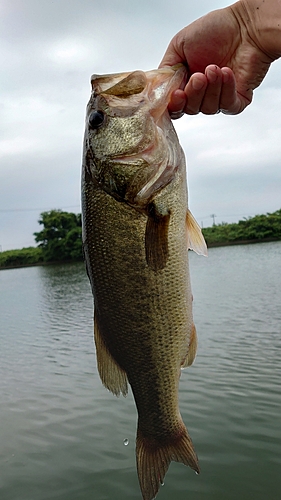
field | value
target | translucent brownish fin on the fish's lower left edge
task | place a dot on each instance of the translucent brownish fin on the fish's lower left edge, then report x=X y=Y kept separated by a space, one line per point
x=112 y=376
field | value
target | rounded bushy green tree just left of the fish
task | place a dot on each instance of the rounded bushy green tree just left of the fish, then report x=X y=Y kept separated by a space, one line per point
x=61 y=238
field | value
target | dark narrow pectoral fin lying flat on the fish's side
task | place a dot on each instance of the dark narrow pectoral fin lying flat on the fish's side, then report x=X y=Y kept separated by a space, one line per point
x=156 y=239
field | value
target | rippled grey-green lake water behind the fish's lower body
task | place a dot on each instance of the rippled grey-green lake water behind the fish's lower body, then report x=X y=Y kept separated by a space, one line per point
x=62 y=434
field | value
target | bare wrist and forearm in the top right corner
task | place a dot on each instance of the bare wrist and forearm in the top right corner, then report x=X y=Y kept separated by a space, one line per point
x=263 y=21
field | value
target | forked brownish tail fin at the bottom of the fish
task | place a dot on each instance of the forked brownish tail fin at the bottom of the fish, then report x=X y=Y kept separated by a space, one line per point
x=154 y=457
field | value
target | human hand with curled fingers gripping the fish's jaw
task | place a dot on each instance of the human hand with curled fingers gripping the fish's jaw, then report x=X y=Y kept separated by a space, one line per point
x=226 y=62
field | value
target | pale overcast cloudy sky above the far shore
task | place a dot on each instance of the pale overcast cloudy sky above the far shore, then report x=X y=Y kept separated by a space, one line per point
x=48 y=51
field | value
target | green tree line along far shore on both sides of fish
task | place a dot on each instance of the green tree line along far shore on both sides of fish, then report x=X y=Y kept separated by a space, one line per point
x=60 y=240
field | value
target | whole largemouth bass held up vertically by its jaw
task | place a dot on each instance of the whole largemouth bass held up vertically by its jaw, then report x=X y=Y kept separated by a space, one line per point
x=136 y=231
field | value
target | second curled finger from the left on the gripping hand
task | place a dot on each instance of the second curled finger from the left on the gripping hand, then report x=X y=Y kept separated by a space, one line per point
x=195 y=91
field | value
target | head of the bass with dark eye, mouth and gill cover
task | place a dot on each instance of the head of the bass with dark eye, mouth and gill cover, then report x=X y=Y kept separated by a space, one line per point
x=131 y=148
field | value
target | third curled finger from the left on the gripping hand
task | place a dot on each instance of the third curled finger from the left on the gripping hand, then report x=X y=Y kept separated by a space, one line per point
x=211 y=101
